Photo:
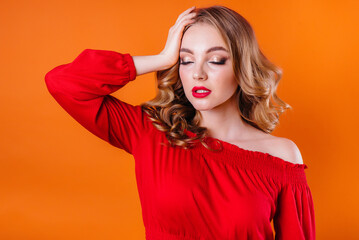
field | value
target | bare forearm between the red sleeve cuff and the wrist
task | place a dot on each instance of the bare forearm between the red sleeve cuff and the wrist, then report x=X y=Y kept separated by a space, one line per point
x=150 y=63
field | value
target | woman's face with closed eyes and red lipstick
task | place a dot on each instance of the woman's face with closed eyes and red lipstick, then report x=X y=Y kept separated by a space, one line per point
x=205 y=61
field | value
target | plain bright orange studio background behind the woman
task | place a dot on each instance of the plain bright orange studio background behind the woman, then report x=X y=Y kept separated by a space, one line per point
x=58 y=181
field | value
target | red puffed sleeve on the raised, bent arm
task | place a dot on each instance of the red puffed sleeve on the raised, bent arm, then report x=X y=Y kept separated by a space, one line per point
x=82 y=88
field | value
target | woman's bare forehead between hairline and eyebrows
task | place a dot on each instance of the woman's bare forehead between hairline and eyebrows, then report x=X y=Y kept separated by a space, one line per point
x=201 y=36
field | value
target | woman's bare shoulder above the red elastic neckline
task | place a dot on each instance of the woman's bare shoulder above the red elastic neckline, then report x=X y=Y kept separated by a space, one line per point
x=285 y=149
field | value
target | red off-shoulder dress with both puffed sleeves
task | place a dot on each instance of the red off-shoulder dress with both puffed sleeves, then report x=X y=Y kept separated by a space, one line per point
x=193 y=194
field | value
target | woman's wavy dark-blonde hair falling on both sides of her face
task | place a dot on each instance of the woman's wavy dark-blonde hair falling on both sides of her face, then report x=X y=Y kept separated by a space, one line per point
x=258 y=104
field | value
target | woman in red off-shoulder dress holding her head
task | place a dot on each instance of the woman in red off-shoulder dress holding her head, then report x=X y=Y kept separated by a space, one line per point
x=206 y=164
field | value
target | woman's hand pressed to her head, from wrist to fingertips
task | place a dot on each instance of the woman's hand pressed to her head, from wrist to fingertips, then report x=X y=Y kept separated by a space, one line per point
x=171 y=51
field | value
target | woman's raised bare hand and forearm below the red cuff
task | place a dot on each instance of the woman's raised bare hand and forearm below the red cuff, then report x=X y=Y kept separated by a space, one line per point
x=169 y=55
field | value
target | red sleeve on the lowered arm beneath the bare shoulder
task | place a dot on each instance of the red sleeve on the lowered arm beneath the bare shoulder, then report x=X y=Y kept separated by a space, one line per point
x=294 y=217
